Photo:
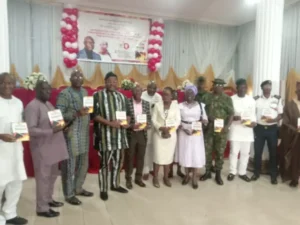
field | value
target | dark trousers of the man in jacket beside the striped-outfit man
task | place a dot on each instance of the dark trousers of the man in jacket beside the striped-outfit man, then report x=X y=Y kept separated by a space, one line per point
x=137 y=147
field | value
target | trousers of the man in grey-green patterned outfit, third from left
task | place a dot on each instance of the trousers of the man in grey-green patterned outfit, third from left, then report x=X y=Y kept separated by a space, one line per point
x=73 y=173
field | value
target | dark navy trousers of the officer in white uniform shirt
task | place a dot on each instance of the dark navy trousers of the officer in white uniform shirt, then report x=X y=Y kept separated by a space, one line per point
x=265 y=134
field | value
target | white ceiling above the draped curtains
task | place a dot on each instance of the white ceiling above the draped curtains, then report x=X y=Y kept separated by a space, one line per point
x=228 y=12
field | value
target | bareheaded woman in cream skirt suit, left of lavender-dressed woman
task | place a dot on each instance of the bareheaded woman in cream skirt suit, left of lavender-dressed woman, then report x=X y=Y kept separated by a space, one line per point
x=165 y=119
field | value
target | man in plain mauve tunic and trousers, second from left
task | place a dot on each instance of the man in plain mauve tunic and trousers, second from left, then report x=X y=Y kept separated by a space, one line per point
x=48 y=148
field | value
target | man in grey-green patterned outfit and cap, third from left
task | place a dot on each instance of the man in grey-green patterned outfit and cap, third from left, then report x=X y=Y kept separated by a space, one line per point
x=74 y=170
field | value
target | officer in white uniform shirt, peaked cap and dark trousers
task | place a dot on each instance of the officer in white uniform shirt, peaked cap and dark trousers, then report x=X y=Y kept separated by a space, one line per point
x=269 y=111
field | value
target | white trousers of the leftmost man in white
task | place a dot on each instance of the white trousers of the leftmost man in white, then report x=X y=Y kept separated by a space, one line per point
x=12 y=195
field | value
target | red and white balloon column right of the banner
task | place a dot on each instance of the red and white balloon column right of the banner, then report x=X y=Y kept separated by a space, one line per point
x=155 y=45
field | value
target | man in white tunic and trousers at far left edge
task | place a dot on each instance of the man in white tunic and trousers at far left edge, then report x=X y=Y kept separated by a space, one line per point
x=12 y=170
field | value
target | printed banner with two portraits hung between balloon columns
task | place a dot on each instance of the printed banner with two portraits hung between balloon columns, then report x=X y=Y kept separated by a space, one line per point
x=106 y=37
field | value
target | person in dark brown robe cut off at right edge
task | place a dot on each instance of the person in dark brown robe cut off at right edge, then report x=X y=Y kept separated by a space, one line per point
x=290 y=144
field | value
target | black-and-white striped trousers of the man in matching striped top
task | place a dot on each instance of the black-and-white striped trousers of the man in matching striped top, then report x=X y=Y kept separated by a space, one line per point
x=114 y=156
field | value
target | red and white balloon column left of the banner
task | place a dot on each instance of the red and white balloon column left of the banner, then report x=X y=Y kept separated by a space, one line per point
x=69 y=32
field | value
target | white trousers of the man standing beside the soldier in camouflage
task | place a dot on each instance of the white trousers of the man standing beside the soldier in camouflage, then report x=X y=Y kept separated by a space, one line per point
x=243 y=148
